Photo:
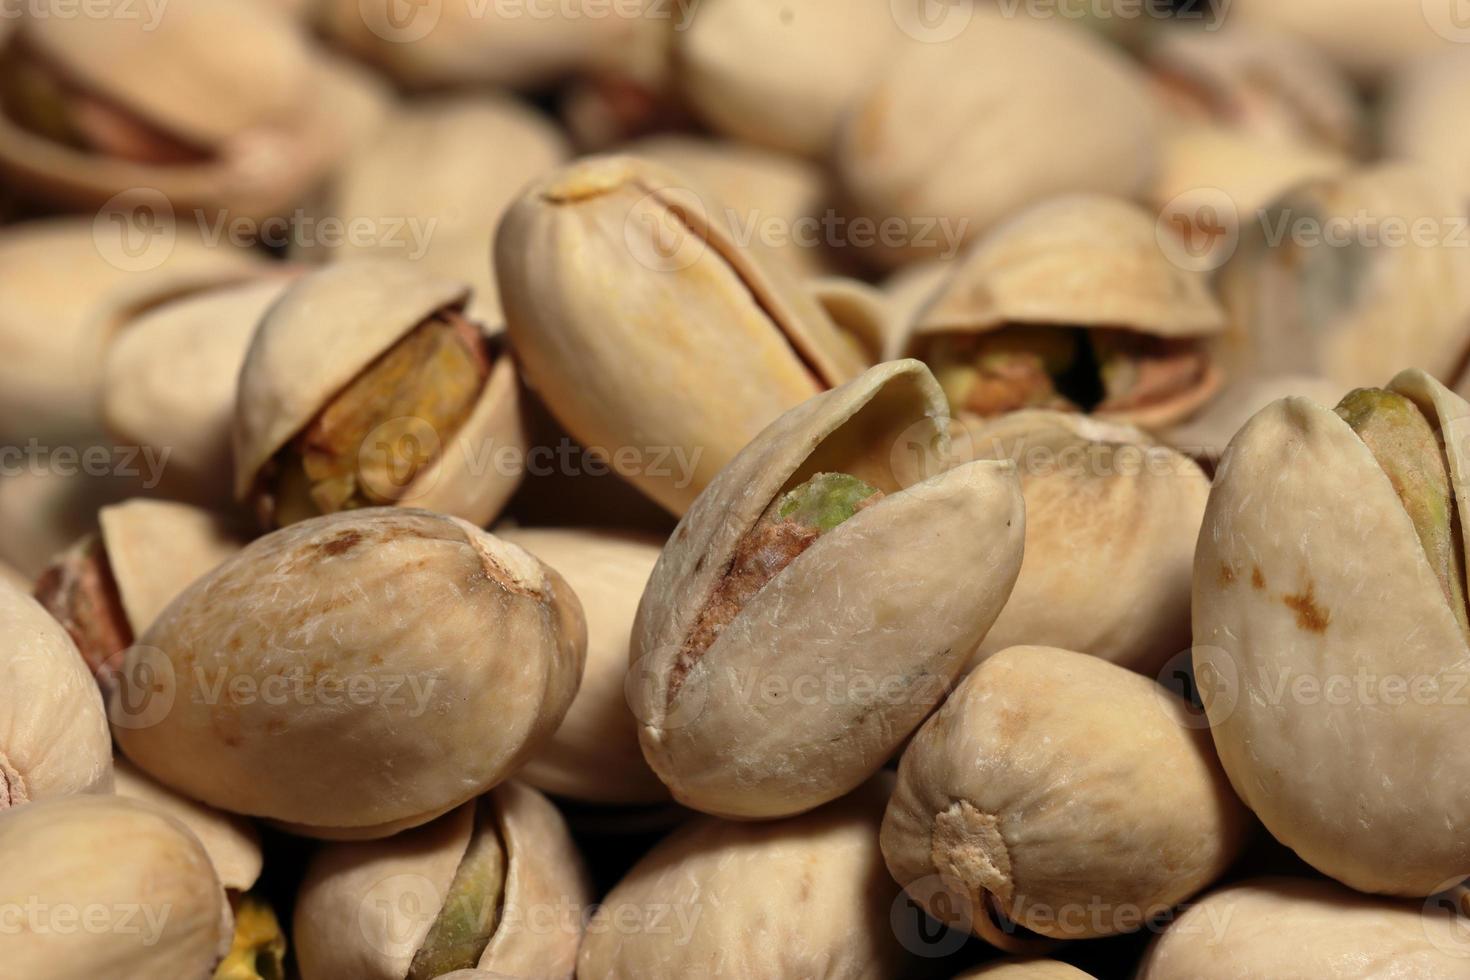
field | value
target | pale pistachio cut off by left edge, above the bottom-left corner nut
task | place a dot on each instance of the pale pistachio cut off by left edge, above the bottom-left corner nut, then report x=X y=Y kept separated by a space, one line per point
x=55 y=732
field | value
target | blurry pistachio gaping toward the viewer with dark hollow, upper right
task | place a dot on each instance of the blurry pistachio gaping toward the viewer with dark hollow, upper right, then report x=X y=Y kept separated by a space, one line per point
x=1074 y=306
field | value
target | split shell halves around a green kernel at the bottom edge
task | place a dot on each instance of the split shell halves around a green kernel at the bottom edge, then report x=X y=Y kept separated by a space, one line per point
x=365 y=909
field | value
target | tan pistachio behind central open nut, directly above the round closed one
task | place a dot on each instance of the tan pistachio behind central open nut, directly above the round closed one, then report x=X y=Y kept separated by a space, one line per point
x=1112 y=521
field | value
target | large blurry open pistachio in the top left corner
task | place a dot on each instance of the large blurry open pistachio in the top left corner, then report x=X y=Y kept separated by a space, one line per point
x=220 y=108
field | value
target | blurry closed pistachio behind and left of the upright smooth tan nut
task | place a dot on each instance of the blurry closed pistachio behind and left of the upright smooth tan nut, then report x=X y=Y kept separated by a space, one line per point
x=434 y=184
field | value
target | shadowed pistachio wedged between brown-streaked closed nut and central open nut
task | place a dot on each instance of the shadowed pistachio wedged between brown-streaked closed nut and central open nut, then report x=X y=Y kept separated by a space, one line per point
x=595 y=756
